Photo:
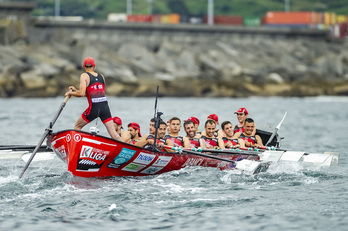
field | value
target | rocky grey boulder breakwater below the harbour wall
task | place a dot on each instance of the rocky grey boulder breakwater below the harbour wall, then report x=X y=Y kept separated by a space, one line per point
x=244 y=67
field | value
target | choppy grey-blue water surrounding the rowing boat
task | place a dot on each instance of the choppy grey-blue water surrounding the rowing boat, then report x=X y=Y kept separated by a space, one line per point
x=290 y=196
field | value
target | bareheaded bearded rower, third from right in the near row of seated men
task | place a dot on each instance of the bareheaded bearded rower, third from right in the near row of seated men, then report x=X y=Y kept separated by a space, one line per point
x=211 y=141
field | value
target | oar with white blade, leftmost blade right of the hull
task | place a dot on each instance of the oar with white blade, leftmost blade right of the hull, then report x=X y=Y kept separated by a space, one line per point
x=249 y=166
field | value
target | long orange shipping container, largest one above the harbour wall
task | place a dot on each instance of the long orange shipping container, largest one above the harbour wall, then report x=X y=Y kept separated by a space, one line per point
x=296 y=18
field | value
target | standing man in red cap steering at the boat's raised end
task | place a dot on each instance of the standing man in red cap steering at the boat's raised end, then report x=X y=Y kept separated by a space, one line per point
x=92 y=85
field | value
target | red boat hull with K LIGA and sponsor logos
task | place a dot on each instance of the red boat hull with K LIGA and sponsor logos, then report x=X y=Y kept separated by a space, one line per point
x=89 y=155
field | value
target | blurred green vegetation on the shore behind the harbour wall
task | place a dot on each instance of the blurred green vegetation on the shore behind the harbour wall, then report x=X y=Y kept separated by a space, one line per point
x=101 y=8
